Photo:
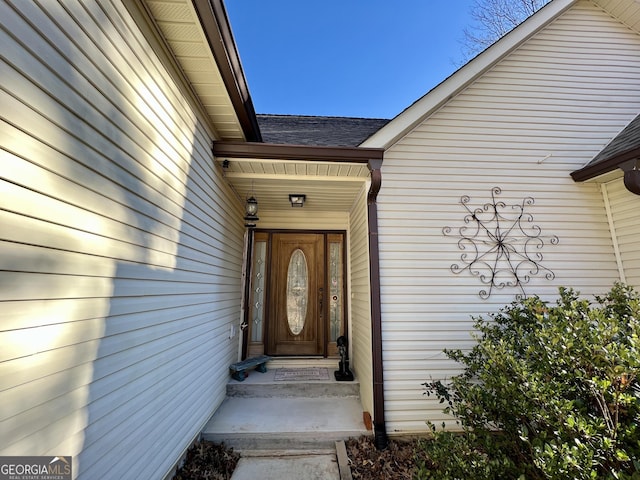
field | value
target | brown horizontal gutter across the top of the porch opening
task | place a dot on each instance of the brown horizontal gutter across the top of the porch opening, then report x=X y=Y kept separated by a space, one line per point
x=296 y=152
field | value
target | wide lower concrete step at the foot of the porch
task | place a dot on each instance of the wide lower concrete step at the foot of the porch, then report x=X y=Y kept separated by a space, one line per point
x=285 y=423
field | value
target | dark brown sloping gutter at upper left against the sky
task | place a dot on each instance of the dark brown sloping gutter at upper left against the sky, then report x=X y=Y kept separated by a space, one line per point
x=215 y=23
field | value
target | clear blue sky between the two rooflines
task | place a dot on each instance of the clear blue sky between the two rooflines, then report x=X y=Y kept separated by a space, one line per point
x=358 y=58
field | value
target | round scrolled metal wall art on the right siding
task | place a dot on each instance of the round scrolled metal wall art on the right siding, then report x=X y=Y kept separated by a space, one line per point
x=502 y=246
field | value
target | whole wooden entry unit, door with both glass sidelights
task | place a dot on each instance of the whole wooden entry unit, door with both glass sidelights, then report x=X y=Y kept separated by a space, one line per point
x=296 y=302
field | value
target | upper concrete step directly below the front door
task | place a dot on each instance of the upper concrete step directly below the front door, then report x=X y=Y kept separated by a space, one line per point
x=265 y=385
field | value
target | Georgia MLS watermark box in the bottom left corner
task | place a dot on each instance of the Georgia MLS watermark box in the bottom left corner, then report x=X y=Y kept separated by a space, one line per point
x=35 y=468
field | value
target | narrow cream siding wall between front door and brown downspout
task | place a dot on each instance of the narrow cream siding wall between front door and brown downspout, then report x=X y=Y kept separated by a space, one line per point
x=360 y=337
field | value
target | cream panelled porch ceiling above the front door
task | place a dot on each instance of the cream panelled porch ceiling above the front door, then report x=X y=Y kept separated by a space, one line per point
x=327 y=186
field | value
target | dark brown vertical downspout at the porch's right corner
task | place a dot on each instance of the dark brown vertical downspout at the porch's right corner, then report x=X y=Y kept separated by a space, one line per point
x=381 y=440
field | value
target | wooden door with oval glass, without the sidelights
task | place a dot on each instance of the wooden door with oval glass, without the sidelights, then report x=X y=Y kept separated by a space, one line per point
x=296 y=324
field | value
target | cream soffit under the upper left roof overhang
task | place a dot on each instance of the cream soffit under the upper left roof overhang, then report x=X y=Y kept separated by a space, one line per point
x=178 y=23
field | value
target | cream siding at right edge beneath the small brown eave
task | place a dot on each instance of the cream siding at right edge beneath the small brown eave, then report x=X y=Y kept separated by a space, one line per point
x=625 y=213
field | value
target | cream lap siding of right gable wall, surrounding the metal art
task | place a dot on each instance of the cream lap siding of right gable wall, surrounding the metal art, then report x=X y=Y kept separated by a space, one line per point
x=536 y=116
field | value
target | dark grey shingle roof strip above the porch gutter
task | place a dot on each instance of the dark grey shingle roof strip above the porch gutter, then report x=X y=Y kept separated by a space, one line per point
x=317 y=131
